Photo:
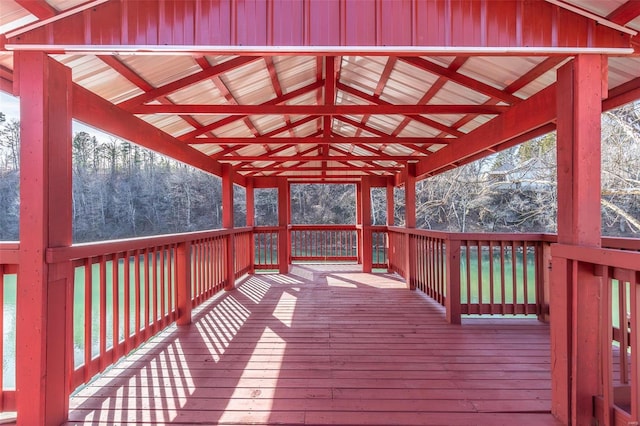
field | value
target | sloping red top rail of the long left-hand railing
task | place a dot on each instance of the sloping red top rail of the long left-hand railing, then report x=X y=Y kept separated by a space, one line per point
x=85 y=250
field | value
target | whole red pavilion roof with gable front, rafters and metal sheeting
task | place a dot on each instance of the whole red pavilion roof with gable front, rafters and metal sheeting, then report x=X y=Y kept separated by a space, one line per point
x=324 y=93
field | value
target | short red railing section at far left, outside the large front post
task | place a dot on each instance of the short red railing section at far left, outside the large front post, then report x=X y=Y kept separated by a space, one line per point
x=8 y=273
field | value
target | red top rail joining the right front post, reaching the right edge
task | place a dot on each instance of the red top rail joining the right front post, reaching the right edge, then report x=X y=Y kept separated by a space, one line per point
x=598 y=256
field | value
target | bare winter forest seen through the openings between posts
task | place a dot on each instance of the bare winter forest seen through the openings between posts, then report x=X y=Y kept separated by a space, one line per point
x=121 y=190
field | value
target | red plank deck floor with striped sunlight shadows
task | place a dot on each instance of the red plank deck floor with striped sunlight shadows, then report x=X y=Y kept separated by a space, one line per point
x=328 y=345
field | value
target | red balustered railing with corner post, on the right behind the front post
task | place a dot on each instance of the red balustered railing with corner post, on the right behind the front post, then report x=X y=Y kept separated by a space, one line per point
x=498 y=274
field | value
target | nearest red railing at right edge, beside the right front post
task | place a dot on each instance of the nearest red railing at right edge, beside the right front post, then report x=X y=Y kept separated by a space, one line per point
x=619 y=401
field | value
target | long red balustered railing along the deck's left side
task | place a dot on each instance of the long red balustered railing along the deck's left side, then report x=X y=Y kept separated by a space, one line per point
x=136 y=283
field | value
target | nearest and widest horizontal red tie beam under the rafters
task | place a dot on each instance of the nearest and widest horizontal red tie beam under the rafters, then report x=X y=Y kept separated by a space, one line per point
x=383 y=108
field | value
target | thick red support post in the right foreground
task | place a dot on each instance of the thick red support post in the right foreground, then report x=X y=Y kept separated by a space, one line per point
x=575 y=351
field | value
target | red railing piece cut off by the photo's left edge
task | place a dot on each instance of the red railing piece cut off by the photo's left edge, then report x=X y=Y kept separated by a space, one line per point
x=8 y=277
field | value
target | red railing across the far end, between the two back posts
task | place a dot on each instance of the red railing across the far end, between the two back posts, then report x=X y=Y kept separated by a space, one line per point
x=324 y=242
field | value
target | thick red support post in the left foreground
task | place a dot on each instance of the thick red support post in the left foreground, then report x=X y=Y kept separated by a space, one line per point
x=44 y=291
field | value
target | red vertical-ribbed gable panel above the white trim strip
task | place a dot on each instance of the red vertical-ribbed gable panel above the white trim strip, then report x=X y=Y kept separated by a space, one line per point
x=327 y=24
